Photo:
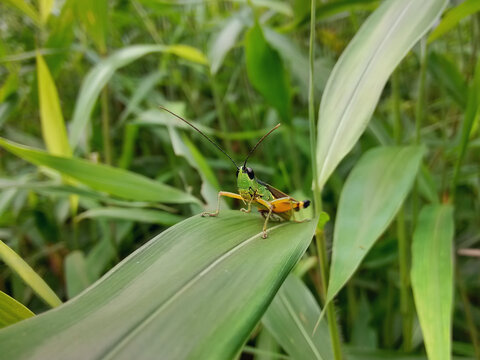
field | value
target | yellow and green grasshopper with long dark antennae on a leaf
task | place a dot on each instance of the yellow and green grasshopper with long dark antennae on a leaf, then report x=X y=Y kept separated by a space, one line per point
x=251 y=190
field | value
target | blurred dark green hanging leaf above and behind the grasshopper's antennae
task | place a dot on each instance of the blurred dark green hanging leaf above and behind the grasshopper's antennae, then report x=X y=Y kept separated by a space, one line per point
x=266 y=72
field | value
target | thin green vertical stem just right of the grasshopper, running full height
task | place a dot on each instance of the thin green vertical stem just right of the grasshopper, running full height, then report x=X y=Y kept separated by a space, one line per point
x=319 y=234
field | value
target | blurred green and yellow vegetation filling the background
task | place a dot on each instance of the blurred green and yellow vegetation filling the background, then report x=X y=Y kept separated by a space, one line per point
x=114 y=62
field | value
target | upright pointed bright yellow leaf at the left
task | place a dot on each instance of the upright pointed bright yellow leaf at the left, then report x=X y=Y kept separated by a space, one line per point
x=53 y=126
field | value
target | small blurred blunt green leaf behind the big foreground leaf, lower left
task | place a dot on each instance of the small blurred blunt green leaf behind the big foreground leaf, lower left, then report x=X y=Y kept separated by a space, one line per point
x=76 y=273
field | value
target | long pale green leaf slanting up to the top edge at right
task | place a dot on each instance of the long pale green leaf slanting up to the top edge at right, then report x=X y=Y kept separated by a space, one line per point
x=360 y=74
